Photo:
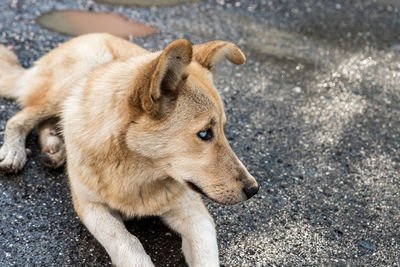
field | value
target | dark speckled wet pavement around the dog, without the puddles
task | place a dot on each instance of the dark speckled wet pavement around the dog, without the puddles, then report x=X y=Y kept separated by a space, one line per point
x=314 y=114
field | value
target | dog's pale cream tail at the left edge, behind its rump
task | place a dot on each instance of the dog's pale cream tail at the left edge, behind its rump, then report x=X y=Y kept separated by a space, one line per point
x=10 y=72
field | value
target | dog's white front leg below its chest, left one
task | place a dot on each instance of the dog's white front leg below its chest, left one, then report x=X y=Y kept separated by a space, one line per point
x=108 y=228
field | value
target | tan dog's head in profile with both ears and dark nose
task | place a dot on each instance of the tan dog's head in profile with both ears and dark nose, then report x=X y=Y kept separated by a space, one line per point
x=178 y=122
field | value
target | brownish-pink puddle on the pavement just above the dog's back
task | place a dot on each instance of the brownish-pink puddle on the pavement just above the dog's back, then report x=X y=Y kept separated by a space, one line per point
x=74 y=22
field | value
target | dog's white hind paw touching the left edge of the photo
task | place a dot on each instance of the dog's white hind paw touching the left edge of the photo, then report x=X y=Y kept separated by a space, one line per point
x=12 y=158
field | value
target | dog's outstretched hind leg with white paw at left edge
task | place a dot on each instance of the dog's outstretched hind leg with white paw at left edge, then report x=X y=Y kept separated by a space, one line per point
x=13 y=153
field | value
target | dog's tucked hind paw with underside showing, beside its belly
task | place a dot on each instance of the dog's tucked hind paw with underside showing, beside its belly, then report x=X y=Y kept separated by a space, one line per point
x=50 y=139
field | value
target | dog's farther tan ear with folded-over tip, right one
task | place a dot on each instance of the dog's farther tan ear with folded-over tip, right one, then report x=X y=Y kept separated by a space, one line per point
x=209 y=54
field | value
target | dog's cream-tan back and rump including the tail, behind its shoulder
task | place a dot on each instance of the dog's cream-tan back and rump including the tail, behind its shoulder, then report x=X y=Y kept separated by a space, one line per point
x=50 y=79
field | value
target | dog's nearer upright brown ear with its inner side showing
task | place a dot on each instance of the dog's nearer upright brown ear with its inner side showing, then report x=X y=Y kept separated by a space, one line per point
x=168 y=72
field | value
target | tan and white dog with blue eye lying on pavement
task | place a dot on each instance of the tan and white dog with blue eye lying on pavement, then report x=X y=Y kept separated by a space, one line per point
x=142 y=133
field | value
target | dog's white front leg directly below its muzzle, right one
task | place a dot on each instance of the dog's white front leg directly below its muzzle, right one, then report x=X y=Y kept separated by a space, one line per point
x=190 y=218
